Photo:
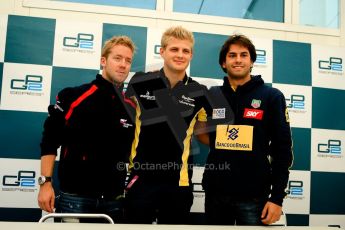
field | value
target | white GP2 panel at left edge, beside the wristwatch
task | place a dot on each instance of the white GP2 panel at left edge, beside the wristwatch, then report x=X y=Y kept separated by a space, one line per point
x=19 y=188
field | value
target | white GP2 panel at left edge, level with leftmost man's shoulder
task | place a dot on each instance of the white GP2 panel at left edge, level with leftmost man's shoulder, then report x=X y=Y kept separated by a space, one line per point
x=26 y=87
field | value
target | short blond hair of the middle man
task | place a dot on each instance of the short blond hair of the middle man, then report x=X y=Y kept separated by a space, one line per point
x=177 y=32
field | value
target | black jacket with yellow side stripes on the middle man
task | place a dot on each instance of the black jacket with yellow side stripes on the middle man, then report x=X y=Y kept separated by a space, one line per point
x=165 y=119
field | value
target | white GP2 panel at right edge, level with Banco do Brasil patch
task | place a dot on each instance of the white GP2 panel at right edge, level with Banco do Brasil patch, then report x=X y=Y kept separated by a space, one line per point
x=327 y=153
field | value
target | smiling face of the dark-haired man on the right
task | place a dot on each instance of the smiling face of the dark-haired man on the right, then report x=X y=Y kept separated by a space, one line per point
x=238 y=62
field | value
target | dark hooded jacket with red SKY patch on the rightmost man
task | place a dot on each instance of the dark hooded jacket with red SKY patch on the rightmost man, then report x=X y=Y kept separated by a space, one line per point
x=250 y=174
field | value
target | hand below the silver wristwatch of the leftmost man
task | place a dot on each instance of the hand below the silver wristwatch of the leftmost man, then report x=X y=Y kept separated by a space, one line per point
x=46 y=197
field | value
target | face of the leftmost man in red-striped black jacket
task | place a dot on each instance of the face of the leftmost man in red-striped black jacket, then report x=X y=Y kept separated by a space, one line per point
x=117 y=65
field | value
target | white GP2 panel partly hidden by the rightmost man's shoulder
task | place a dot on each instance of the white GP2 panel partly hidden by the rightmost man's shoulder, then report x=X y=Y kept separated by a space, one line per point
x=299 y=103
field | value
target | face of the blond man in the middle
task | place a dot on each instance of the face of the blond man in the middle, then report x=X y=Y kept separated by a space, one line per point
x=177 y=55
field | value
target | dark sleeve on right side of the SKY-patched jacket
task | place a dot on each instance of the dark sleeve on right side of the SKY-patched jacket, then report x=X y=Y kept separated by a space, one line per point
x=280 y=147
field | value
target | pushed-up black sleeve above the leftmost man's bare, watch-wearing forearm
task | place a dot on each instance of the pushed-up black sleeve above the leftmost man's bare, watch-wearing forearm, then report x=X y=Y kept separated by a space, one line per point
x=54 y=124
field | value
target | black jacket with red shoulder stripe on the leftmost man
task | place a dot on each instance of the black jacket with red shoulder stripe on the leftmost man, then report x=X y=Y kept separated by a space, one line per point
x=92 y=124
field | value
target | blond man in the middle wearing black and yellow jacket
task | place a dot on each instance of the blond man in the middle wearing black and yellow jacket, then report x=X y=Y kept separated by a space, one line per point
x=169 y=103
